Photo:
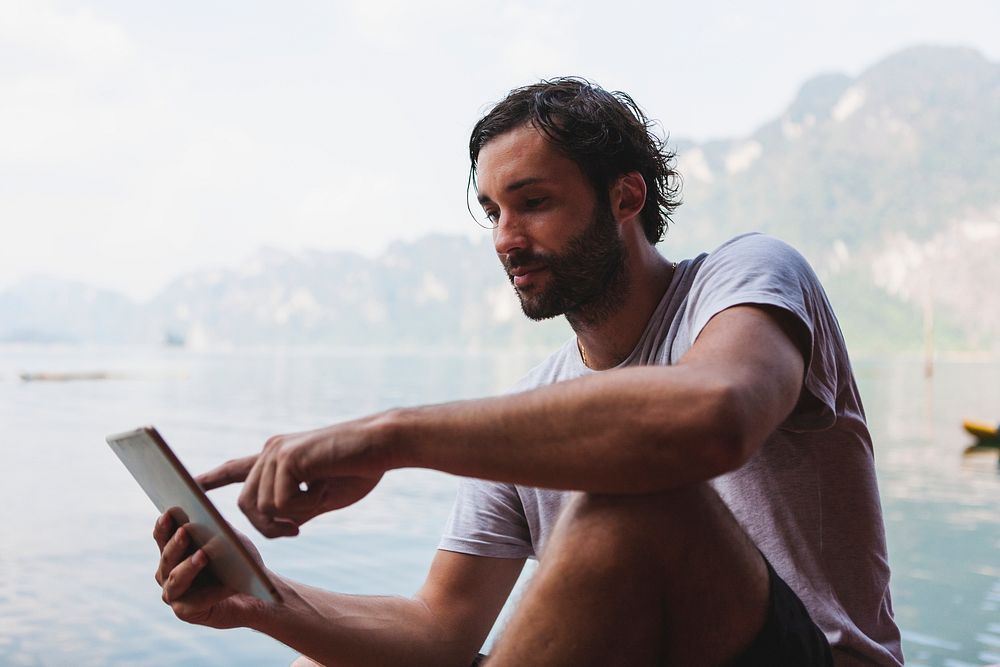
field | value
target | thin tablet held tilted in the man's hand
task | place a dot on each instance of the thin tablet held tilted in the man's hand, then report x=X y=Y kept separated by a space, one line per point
x=172 y=489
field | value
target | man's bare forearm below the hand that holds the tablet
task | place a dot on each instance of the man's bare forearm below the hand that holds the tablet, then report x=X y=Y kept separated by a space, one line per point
x=336 y=629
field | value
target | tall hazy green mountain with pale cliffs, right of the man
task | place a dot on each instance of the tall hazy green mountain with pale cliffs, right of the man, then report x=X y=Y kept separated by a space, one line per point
x=889 y=182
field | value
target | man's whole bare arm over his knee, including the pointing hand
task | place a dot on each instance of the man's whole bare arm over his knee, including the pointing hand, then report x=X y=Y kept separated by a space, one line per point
x=635 y=430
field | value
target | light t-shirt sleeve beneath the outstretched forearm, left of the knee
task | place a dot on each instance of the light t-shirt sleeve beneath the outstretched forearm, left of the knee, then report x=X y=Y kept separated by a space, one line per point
x=487 y=519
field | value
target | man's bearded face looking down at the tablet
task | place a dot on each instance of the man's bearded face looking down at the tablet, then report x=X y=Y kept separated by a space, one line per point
x=559 y=245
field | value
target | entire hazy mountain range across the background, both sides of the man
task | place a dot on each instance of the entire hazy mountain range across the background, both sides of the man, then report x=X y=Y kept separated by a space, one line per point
x=888 y=182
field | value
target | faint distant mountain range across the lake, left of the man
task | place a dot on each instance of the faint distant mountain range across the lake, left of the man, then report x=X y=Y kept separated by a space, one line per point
x=437 y=291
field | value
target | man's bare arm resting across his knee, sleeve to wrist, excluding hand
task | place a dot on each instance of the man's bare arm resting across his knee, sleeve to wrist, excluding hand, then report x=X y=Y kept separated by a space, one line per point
x=634 y=430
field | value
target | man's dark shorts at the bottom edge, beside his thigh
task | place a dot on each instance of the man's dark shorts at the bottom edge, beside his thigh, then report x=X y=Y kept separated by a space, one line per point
x=789 y=637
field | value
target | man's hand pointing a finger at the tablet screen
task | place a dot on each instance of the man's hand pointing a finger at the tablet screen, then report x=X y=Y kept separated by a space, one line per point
x=300 y=476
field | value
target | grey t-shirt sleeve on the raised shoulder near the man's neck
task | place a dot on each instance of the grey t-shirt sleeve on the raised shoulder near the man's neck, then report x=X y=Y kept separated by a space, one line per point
x=762 y=270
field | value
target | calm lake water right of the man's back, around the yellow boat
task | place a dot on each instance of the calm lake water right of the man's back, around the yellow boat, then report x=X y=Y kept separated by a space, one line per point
x=941 y=506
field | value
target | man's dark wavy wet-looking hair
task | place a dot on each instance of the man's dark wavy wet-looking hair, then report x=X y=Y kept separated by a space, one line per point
x=605 y=133
